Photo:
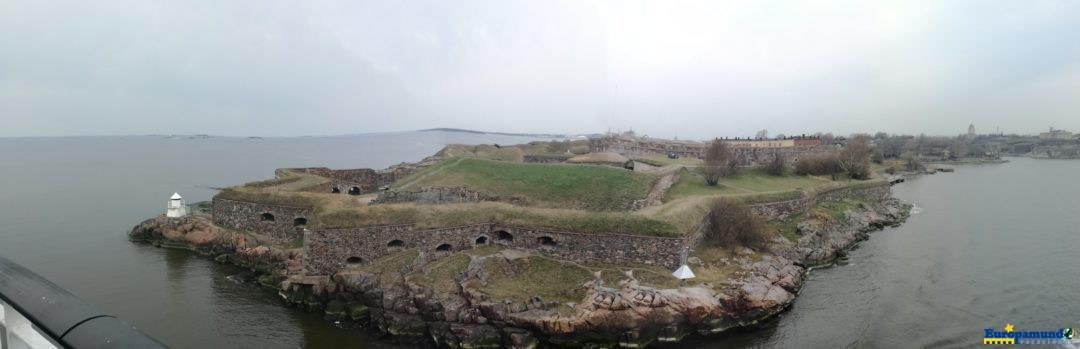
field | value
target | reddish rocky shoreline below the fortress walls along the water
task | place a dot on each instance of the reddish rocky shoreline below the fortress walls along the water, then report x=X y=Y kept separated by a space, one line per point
x=626 y=315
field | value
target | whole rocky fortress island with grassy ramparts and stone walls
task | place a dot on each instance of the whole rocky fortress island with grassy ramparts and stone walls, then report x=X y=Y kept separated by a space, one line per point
x=549 y=244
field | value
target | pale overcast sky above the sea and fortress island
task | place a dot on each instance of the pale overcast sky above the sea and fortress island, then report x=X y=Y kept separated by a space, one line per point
x=685 y=69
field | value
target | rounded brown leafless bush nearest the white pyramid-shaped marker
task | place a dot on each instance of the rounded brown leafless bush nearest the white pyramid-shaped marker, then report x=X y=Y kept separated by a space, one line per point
x=734 y=223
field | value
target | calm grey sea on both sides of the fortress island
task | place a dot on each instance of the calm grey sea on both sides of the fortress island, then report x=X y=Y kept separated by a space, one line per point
x=991 y=245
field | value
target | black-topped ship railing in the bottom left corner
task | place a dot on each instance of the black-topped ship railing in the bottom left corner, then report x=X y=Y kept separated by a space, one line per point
x=59 y=316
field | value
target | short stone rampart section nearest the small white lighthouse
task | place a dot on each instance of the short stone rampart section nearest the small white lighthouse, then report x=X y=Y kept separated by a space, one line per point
x=279 y=223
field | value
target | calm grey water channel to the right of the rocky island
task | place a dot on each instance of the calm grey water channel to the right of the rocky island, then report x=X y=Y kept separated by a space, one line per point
x=990 y=246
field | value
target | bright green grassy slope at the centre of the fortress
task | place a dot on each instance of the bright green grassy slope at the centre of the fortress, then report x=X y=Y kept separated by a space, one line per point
x=588 y=187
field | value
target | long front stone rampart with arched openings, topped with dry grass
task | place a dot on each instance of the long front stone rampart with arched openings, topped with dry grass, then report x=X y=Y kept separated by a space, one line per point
x=329 y=251
